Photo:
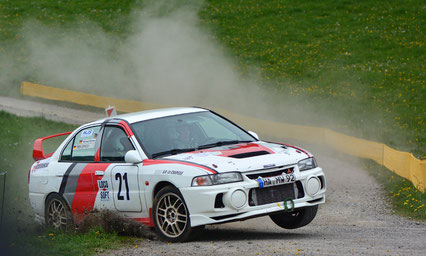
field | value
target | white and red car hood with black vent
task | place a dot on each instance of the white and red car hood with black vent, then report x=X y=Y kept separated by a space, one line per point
x=244 y=157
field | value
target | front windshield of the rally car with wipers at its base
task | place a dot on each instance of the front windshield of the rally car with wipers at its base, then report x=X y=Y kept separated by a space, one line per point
x=187 y=132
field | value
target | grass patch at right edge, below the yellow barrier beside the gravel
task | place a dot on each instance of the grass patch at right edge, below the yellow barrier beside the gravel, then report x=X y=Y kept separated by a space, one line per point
x=405 y=198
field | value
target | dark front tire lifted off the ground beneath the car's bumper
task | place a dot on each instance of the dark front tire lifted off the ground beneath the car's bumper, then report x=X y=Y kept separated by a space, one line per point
x=295 y=219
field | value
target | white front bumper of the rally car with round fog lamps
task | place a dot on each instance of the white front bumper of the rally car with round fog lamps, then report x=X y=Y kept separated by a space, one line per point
x=242 y=200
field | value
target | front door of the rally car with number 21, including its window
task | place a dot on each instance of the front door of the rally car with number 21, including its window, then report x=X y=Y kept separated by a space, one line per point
x=123 y=176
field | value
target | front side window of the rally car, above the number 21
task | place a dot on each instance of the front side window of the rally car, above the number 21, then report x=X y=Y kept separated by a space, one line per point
x=115 y=144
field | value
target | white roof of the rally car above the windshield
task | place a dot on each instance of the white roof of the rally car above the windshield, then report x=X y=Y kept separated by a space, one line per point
x=154 y=113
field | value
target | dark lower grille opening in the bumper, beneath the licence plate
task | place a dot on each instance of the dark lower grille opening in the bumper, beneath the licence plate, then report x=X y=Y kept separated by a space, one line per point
x=275 y=194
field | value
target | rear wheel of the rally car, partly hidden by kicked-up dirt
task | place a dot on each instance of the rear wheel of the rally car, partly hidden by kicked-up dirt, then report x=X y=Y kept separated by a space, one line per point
x=57 y=213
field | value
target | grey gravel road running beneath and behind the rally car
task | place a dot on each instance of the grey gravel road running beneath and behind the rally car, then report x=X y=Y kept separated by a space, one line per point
x=356 y=218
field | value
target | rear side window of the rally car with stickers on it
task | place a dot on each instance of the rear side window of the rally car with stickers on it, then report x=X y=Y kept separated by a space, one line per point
x=83 y=146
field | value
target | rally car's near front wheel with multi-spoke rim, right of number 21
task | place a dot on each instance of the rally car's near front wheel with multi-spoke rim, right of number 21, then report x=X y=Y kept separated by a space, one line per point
x=171 y=216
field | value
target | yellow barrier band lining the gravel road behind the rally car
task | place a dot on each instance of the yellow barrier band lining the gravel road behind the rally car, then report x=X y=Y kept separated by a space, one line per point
x=401 y=163
